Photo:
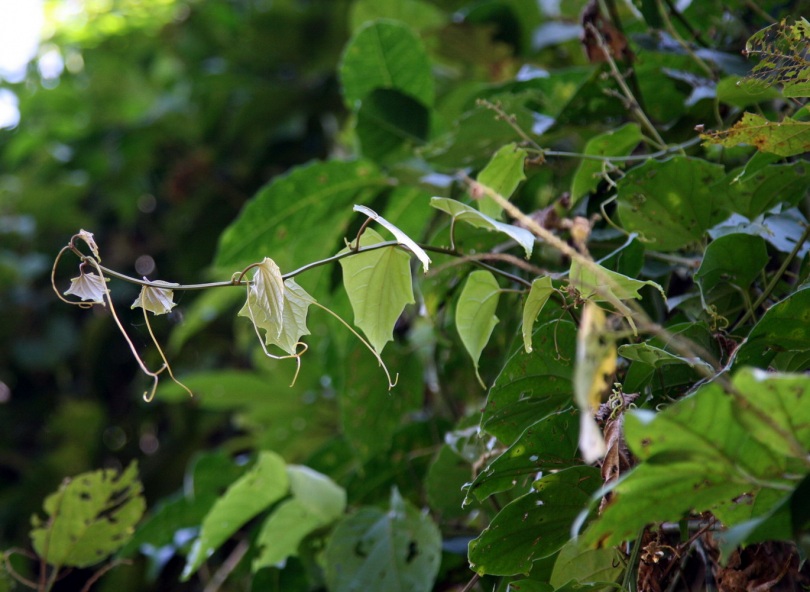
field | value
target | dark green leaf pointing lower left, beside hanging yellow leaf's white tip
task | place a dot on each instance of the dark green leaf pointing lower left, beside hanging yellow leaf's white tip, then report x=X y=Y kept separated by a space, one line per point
x=550 y=444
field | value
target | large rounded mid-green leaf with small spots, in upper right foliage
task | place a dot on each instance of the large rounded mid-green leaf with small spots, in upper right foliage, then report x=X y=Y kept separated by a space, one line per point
x=671 y=203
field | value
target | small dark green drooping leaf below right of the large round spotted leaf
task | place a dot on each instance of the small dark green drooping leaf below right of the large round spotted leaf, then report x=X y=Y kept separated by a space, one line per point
x=736 y=259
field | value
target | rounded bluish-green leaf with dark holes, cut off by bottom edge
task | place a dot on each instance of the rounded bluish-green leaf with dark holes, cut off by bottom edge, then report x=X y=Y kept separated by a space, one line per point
x=397 y=551
